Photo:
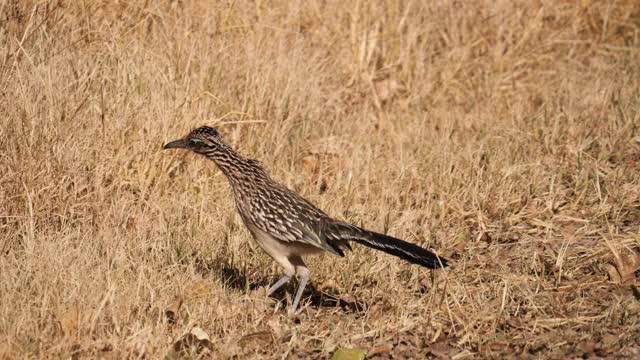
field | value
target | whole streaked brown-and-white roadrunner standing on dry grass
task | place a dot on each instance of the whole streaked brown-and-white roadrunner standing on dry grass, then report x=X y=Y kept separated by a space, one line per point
x=285 y=225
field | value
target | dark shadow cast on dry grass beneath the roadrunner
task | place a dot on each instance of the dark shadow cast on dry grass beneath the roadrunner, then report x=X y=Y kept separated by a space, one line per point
x=234 y=278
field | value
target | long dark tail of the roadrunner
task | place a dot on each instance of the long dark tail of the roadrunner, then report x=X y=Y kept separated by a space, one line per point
x=396 y=247
